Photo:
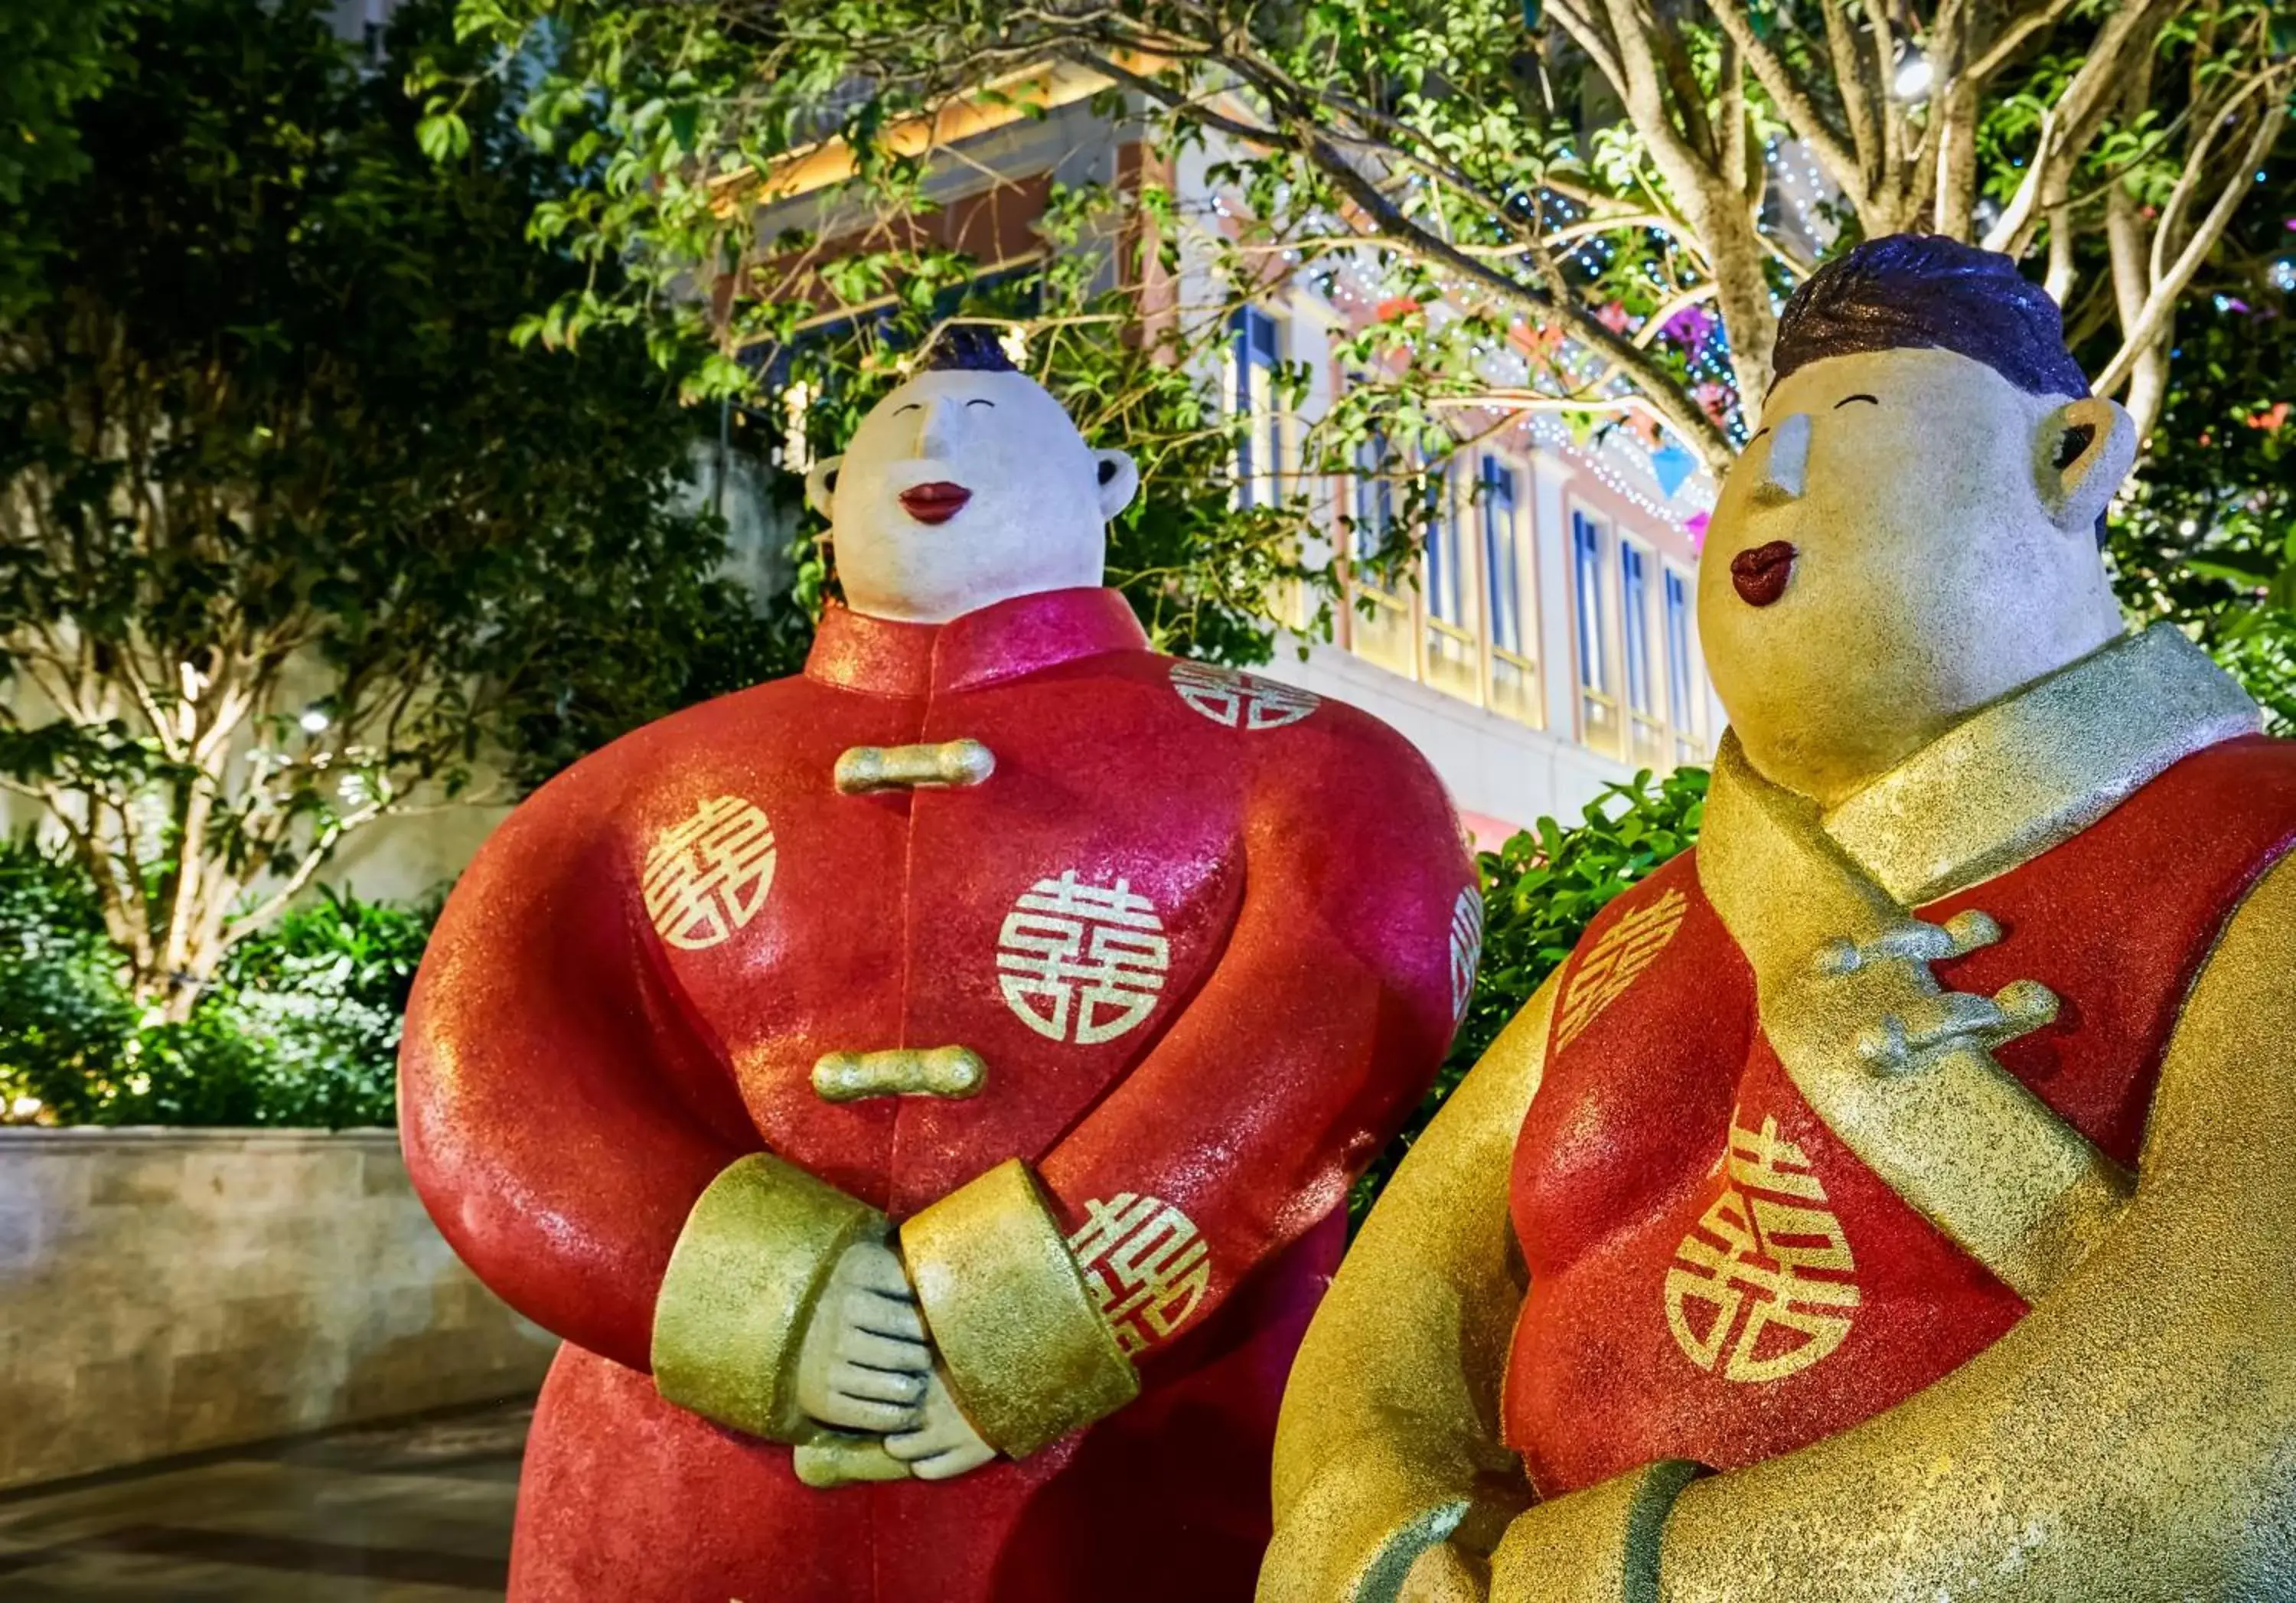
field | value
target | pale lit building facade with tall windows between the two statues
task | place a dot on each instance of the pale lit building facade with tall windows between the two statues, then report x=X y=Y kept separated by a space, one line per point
x=1544 y=642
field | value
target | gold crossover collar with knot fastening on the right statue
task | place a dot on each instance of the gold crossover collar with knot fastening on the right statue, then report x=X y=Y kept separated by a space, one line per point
x=1900 y=1069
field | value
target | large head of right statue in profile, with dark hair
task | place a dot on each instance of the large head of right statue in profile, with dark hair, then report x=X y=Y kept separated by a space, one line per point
x=1914 y=529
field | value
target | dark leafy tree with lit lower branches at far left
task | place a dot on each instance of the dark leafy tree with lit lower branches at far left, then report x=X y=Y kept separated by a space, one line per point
x=290 y=536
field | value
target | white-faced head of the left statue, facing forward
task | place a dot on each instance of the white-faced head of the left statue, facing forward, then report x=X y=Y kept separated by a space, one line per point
x=968 y=486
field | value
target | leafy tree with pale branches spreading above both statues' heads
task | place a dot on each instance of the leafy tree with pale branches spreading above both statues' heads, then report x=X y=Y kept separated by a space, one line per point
x=1590 y=208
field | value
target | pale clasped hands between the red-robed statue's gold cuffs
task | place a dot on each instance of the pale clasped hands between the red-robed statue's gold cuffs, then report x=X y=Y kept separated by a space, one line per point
x=867 y=1365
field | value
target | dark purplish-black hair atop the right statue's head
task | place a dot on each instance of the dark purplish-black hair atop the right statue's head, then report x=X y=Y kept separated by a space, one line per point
x=1937 y=293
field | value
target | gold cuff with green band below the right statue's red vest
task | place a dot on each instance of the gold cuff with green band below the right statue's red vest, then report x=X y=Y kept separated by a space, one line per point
x=1592 y=1547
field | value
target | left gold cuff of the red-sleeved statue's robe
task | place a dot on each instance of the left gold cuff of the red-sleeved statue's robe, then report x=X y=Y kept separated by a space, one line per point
x=743 y=1283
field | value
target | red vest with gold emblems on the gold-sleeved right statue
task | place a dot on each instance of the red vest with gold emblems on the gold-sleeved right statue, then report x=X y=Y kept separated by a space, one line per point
x=1714 y=1273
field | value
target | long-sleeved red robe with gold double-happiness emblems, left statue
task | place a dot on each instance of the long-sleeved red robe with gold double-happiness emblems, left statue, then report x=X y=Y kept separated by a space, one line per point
x=1211 y=940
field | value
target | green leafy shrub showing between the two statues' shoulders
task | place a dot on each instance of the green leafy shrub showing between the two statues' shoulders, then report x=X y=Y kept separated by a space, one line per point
x=1539 y=895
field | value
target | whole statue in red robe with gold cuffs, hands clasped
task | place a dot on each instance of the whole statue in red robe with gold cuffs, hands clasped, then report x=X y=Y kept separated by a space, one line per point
x=924 y=1092
